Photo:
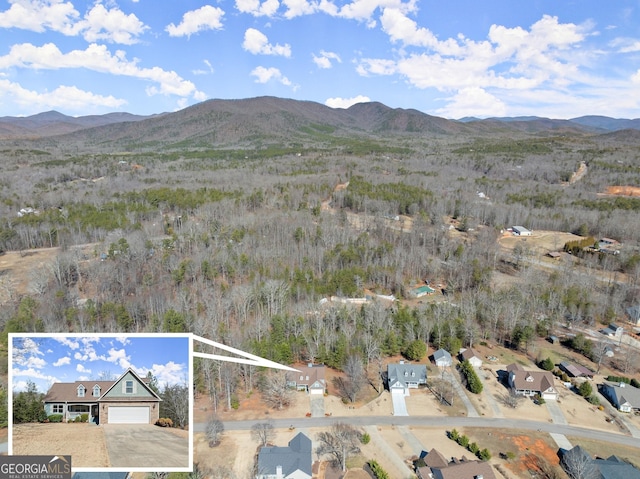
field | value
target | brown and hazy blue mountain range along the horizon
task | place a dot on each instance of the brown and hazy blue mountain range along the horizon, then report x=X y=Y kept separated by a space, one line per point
x=263 y=119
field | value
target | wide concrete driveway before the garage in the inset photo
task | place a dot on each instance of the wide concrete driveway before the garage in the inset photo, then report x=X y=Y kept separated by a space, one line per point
x=144 y=445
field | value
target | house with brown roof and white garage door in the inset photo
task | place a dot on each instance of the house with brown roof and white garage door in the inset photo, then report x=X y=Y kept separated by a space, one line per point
x=127 y=400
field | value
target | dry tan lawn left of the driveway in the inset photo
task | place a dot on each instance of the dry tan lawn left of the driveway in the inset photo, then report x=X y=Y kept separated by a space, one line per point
x=84 y=442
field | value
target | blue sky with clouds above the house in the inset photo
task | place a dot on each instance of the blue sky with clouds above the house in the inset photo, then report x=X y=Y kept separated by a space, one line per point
x=65 y=358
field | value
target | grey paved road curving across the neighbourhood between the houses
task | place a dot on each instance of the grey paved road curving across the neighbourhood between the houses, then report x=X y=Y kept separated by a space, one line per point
x=438 y=421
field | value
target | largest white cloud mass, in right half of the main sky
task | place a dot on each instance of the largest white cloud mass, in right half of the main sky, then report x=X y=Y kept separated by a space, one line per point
x=512 y=58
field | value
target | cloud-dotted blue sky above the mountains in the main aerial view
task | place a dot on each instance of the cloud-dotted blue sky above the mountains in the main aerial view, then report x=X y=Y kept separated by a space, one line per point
x=557 y=59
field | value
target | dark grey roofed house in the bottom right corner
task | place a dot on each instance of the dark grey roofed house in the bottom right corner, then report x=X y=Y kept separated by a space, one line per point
x=578 y=460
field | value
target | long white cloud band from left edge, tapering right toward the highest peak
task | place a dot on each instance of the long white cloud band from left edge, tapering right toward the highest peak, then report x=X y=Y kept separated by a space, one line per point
x=97 y=58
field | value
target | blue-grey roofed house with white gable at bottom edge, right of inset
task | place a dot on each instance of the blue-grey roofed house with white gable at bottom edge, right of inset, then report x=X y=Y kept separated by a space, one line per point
x=290 y=462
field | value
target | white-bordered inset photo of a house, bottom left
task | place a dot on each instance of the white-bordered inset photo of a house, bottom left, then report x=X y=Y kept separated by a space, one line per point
x=110 y=401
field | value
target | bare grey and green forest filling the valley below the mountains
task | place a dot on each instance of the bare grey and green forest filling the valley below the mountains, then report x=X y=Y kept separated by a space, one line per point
x=239 y=238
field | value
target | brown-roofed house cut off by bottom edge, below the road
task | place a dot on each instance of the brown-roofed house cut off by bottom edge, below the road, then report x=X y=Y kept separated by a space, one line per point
x=437 y=467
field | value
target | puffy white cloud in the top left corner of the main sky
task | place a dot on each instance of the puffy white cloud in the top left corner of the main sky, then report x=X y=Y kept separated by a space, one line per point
x=99 y=23
